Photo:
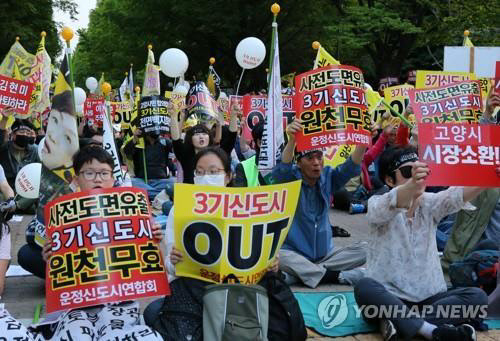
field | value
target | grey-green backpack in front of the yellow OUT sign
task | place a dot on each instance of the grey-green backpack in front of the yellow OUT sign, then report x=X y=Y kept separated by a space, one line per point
x=235 y=312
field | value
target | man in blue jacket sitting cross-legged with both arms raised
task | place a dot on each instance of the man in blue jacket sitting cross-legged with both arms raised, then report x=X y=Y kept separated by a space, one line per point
x=308 y=254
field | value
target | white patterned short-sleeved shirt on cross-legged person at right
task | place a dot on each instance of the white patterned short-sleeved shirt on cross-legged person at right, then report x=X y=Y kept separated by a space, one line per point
x=402 y=252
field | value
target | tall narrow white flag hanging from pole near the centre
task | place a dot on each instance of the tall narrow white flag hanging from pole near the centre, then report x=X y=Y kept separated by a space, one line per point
x=272 y=138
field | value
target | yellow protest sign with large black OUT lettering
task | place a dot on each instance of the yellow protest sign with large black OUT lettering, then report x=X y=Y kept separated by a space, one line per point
x=231 y=231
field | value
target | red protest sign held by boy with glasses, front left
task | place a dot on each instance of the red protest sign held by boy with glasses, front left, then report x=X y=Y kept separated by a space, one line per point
x=102 y=249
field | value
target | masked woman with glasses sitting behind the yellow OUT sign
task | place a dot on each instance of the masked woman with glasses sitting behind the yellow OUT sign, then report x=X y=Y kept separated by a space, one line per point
x=180 y=316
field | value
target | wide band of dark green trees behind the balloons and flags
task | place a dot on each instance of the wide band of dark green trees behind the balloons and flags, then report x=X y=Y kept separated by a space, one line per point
x=382 y=37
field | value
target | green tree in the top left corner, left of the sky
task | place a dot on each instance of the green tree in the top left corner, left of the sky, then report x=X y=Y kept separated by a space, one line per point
x=27 y=19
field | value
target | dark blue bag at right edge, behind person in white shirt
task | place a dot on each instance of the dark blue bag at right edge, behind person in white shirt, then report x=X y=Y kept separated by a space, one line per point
x=478 y=269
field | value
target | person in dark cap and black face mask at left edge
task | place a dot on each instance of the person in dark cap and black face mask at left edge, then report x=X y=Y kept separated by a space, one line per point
x=19 y=151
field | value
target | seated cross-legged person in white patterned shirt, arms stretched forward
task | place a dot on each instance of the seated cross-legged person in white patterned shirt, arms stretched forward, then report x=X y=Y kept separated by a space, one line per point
x=403 y=270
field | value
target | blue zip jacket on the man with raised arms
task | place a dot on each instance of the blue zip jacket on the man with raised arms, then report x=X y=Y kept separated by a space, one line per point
x=310 y=234
